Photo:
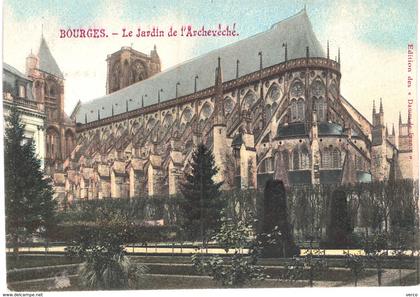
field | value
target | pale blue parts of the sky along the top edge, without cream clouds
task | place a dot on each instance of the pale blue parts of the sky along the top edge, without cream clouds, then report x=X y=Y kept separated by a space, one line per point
x=392 y=23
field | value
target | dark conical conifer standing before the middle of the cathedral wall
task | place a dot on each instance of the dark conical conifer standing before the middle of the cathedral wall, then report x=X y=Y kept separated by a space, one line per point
x=202 y=204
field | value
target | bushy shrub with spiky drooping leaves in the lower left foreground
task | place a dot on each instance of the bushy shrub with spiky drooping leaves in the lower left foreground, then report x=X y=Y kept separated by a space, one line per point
x=106 y=265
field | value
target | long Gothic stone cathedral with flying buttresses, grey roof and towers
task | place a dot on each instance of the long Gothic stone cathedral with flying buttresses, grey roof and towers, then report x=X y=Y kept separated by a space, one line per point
x=268 y=106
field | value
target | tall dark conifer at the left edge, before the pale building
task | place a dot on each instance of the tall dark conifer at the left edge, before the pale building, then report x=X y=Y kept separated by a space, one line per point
x=30 y=206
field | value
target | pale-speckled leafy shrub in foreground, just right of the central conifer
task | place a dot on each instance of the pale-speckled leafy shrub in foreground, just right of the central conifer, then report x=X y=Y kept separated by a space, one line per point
x=239 y=269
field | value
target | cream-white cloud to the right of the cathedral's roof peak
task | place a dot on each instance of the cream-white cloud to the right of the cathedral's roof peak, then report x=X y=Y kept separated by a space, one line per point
x=369 y=70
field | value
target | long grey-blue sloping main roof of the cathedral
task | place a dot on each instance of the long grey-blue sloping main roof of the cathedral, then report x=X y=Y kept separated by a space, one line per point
x=296 y=31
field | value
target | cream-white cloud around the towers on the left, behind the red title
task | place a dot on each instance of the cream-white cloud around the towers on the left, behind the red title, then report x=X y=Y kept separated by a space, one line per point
x=82 y=61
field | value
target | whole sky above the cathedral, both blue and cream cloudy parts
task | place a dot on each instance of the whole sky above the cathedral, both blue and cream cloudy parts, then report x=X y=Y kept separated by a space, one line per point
x=372 y=36
